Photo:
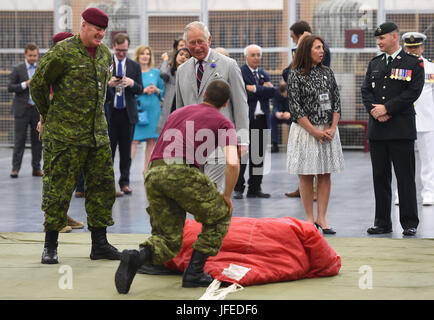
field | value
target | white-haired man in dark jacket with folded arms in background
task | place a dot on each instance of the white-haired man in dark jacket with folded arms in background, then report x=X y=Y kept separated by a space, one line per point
x=259 y=92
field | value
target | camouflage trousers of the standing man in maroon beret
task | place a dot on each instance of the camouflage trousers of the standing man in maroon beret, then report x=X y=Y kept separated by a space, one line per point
x=62 y=166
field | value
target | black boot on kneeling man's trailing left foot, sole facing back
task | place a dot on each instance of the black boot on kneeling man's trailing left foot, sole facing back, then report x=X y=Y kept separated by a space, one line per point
x=131 y=260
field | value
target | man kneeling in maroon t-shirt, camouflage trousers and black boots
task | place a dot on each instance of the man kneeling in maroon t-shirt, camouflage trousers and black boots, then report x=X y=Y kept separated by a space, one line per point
x=174 y=186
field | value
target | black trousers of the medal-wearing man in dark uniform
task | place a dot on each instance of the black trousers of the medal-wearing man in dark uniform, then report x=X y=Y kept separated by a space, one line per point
x=400 y=153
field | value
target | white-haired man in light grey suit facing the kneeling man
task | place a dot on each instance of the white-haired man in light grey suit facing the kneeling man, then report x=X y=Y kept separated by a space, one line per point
x=192 y=79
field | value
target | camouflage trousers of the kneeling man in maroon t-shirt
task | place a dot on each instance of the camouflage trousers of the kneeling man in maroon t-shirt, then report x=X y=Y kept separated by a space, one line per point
x=172 y=190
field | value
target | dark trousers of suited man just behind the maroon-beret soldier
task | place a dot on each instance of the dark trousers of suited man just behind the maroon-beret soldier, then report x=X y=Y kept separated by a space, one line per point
x=121 y=133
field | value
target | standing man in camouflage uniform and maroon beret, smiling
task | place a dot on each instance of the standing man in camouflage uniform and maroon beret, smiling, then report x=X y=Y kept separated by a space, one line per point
x=74 y=133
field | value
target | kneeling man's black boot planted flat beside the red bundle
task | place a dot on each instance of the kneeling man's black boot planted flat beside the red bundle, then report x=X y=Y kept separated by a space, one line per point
x=194 y=276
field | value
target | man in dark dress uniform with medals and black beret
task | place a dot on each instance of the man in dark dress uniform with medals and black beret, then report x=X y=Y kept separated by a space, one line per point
x=394 y=80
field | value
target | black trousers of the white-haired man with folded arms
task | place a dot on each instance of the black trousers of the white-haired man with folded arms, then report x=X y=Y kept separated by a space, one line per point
x=256 y=155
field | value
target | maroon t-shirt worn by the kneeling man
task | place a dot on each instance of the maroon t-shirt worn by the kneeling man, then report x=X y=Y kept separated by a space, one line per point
x=193 y=133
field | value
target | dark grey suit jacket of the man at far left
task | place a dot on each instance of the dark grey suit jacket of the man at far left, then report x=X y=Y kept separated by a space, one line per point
x=19 y=74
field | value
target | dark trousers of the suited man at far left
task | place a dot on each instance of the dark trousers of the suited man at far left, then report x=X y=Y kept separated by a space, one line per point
x=29 y=119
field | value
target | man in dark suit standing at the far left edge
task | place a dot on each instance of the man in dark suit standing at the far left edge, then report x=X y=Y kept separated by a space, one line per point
x=25 y=112
